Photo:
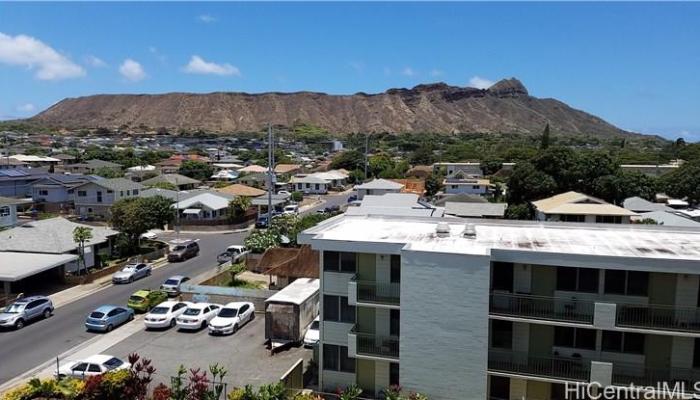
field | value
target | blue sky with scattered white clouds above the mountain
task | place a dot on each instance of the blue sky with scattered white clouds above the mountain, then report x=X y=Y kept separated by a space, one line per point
x=636 y=65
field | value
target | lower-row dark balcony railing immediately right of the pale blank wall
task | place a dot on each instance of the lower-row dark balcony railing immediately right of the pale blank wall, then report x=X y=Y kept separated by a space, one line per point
x=566 y=369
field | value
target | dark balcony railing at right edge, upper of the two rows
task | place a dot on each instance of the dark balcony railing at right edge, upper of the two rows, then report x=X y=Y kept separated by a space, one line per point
x=672 y=318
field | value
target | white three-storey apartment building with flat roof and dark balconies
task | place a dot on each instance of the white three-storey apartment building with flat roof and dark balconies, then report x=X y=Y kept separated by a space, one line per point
x=477 y=309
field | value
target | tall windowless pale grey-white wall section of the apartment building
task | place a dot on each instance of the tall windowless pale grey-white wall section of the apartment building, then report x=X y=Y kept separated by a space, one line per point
x=456 y=363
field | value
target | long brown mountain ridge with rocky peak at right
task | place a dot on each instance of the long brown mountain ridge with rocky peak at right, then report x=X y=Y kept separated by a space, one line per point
x=437 y=107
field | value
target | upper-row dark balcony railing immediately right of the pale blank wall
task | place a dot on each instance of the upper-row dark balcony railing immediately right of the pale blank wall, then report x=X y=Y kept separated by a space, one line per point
x=540 y=307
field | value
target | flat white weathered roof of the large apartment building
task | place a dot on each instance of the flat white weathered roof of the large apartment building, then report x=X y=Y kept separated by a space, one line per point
x=641 y=241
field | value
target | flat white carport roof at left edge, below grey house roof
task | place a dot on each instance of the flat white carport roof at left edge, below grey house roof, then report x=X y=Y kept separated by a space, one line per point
x=15 y=265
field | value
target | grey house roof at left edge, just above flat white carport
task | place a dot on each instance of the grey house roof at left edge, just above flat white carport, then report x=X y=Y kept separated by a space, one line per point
x=53 y=235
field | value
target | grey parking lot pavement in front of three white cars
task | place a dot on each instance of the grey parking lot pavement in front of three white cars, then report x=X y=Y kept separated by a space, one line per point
x=243 y=354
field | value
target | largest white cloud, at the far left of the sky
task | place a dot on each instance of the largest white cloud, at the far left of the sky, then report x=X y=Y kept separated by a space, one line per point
x=23 y=50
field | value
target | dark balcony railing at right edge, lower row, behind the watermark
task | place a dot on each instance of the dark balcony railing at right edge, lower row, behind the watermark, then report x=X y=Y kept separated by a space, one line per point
x=625 y=374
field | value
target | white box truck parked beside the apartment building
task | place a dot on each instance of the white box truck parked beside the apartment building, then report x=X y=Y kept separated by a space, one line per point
x=290 y=311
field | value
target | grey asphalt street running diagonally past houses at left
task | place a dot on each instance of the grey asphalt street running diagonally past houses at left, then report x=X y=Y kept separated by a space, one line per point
x=38 y=342
